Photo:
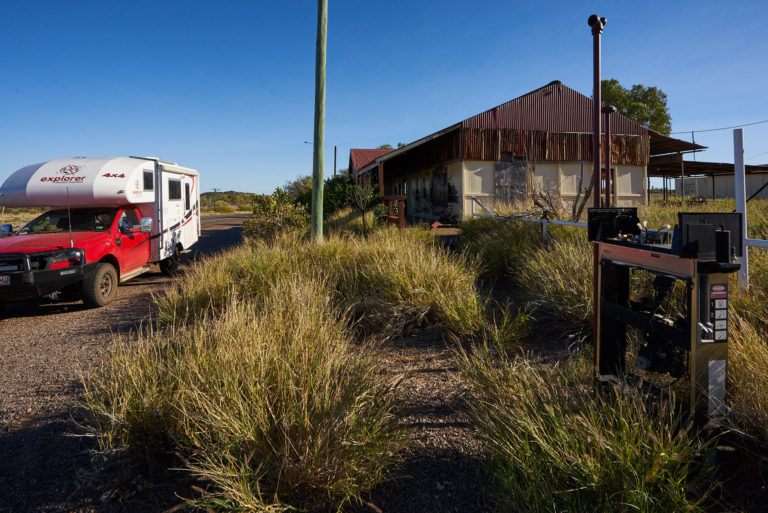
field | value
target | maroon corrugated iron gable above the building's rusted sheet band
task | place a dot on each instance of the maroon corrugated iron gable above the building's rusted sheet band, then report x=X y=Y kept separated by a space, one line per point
x=551 y=108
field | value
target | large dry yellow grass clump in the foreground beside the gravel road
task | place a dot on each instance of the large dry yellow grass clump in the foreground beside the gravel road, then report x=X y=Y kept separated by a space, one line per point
x=270 y=401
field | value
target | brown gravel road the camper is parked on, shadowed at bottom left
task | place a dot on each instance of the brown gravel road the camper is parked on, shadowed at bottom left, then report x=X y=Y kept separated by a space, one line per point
x=43 y=349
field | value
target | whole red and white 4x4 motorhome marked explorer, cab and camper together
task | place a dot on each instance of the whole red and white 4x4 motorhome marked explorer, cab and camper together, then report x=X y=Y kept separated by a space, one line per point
x=108 y=220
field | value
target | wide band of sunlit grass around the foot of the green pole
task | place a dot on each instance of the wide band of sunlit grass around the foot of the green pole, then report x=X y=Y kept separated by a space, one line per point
x=389 y=280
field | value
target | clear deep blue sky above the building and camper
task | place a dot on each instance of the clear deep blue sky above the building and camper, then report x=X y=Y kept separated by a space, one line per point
x=228 y=87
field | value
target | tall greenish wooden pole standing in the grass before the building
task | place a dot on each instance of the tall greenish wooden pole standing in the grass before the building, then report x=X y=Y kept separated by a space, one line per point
x=317 y=165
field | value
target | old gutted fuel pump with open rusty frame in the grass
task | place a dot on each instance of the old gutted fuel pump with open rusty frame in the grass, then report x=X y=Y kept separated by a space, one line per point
x=692 y=343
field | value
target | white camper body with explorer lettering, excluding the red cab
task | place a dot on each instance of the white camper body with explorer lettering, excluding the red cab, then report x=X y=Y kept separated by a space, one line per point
x=167 y=193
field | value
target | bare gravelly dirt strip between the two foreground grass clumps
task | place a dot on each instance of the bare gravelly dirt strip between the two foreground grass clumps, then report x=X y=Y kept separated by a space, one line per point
x=443 y=457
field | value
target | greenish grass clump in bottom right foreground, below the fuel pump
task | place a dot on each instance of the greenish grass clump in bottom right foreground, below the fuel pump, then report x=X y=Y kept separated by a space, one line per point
x=555 y=445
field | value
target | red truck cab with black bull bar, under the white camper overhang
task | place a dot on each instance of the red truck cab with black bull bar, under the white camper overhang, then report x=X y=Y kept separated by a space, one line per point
x=85 y=250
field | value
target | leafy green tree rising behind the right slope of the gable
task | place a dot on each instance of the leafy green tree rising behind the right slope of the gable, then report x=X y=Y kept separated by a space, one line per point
x=644 y=105
